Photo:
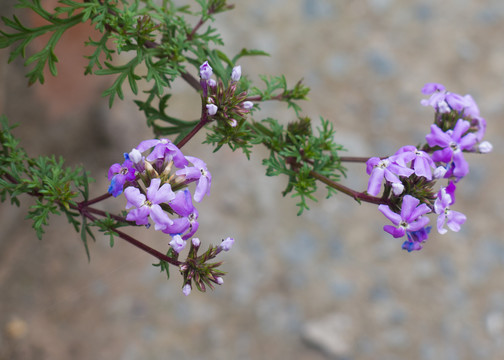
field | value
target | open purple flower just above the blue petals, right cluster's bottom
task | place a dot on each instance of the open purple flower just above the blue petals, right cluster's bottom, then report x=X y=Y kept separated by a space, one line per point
x=410 y=219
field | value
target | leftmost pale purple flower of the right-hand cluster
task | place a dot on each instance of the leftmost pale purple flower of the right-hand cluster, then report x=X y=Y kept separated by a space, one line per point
x=386 y=168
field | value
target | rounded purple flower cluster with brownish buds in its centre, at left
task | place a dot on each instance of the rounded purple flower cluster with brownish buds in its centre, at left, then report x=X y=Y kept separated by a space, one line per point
x=154 y=179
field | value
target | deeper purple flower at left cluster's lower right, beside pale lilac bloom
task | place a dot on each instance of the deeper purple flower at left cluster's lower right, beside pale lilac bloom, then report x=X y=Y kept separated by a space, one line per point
x=188 y=221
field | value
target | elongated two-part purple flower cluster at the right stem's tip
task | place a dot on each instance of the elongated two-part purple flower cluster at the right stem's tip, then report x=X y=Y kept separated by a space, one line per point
x=411 y=172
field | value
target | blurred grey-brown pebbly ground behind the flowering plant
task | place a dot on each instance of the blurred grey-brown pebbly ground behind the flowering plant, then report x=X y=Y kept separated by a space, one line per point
x=329 y=284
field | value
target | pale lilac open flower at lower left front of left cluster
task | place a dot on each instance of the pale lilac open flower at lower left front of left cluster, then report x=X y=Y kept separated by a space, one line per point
x=149 y=206
